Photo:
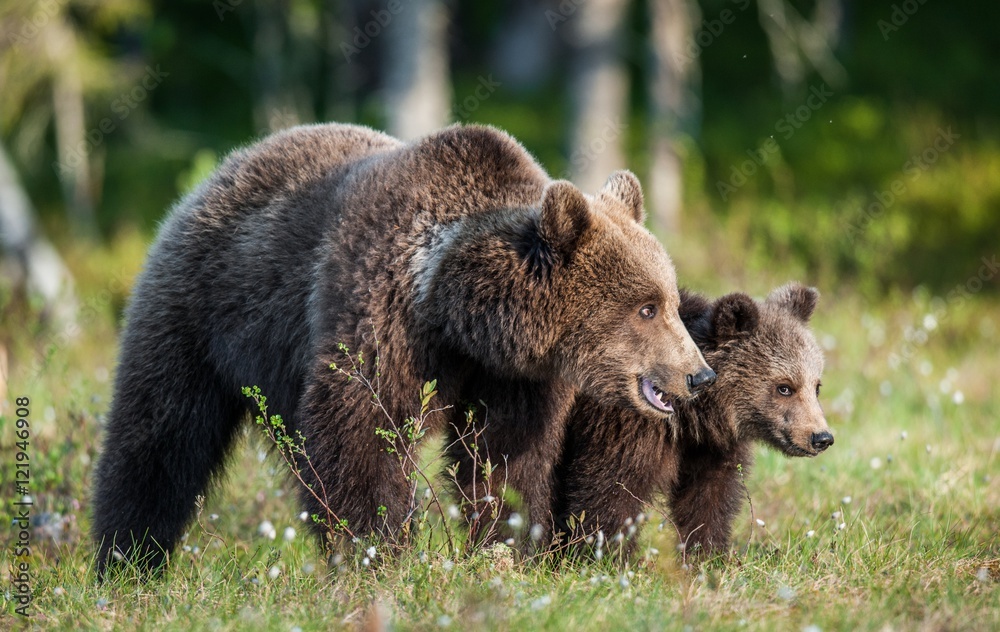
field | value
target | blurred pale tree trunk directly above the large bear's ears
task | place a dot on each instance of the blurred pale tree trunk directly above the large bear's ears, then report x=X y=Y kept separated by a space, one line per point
x=599 y=92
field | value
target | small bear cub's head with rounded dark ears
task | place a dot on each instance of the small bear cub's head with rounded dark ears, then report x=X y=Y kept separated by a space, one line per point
x=769 y=368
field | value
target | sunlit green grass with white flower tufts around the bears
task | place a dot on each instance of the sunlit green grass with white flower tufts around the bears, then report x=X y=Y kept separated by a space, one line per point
x=893 y=527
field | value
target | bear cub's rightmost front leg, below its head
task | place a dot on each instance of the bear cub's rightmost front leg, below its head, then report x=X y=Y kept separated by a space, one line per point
x=707 y=495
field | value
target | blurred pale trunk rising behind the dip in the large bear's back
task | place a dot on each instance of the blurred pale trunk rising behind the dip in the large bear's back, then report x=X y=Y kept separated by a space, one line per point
x=417 y=84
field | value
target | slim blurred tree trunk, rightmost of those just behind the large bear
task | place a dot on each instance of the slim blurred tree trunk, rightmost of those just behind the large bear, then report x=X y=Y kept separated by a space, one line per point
x=674 y=107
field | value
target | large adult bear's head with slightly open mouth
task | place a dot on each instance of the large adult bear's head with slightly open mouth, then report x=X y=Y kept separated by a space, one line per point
x=574 y=288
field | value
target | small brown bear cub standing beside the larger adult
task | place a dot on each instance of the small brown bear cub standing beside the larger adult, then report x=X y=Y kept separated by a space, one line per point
x=615 y=460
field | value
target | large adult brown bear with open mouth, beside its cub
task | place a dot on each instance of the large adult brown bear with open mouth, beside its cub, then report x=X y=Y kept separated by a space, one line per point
x=454 y=257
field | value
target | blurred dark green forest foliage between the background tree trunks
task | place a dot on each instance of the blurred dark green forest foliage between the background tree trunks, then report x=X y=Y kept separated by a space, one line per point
x=804 y=209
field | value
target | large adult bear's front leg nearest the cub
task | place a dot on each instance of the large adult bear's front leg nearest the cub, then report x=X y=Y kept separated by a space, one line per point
x=506 y=450
